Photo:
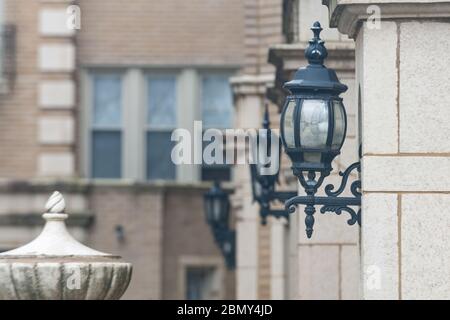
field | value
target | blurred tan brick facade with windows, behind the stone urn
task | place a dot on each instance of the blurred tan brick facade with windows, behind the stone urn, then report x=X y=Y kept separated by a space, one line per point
x=60 y=129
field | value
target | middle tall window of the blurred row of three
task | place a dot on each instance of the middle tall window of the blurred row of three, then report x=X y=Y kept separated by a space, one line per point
x=161 y=121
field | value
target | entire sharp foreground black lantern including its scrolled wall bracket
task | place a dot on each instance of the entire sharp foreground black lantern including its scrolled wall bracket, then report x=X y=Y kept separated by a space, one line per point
x=313 y=128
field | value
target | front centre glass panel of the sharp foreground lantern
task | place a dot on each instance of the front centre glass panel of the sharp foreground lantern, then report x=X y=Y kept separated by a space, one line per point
x=314 y=124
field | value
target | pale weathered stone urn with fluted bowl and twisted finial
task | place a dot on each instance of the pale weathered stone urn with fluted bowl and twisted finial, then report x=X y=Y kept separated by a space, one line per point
x=55 y=266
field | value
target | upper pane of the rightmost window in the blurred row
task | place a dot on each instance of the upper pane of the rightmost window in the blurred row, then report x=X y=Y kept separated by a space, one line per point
x=217 y=105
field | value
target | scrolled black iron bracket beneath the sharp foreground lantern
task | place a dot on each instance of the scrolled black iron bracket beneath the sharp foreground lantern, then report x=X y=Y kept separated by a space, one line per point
x=332 y=202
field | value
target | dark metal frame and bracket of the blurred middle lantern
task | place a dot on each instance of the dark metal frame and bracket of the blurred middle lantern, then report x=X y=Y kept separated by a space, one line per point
x=263 y=185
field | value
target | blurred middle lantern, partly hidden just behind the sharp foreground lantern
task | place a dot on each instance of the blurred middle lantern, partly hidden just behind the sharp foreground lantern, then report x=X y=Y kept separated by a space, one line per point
x=263 y=184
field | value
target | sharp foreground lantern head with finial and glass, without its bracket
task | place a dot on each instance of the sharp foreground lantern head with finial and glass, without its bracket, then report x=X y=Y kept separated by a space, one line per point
x=313 y=121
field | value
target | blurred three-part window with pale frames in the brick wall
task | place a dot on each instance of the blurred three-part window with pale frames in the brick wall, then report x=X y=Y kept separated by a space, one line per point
x=132 y=114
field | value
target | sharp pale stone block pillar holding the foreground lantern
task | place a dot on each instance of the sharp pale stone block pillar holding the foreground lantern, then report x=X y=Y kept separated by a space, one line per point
x=402 y=69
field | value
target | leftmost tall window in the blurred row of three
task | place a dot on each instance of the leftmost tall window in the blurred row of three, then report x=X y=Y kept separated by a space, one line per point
x=106 y=126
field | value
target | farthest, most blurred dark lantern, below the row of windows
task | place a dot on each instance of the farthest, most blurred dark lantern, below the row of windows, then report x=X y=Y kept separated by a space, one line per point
x=217 y=212
